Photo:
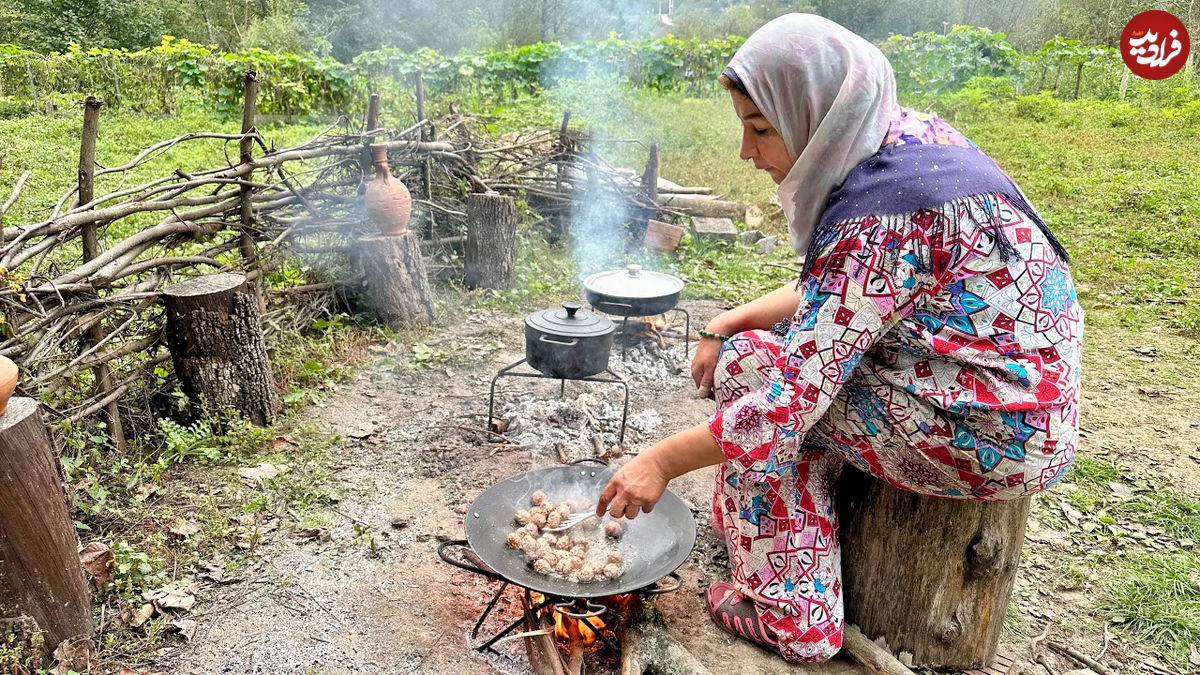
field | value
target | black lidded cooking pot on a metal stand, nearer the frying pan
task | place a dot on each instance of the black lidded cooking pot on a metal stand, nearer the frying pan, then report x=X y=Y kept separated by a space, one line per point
x=571 y=343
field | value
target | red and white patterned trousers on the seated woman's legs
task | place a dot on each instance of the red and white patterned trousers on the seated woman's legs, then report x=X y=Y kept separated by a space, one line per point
x=782 y=529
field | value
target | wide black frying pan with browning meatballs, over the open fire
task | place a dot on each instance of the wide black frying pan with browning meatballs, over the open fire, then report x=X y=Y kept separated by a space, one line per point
x=655 y=545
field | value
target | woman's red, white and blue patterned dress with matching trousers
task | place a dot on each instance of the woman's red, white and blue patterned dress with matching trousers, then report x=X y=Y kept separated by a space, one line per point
x=922 y=354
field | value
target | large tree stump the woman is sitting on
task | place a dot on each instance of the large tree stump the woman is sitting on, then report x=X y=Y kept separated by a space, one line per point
x=932 y=576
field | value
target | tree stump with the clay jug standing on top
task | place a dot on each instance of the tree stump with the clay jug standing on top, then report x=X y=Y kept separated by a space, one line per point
x=395 y=285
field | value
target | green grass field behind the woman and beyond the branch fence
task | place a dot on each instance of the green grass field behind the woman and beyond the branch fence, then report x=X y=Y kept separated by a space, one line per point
x=1119 y=186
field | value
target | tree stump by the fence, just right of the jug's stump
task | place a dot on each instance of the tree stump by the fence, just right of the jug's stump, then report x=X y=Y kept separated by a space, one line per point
x=491 y=254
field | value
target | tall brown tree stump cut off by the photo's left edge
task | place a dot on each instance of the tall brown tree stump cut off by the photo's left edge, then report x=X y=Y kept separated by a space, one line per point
x=40 y=574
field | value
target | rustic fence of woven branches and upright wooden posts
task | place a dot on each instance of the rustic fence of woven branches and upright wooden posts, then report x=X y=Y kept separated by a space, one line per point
x=81 y=292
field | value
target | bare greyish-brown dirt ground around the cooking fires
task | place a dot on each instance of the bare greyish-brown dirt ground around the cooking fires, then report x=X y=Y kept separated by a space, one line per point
x=376 y=599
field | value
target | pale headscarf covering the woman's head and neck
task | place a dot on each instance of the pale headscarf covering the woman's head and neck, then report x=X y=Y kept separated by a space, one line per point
x=832 y=97
